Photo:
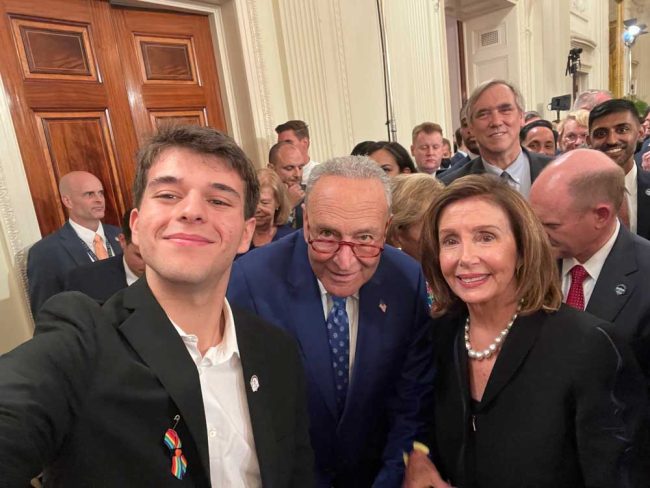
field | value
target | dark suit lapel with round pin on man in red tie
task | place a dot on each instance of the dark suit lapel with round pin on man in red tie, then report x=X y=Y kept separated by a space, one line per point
x=607 y=300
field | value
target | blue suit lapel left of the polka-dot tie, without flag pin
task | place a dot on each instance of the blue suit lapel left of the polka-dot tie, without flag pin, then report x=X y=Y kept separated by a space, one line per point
x=305 y=312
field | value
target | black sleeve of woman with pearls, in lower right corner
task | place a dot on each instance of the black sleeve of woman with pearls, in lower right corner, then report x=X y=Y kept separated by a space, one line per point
x=610 y=401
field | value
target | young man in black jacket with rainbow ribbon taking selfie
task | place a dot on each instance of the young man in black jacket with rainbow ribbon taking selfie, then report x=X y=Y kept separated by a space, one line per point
x=165 y=384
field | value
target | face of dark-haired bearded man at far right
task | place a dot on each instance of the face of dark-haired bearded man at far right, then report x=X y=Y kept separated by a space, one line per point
x=616 y=135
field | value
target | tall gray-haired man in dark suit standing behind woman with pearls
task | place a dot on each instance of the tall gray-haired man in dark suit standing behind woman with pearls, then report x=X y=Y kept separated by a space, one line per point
x=495 y=115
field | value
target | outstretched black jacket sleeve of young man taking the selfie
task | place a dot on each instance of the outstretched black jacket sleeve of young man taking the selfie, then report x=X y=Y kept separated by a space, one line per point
x=41 y=387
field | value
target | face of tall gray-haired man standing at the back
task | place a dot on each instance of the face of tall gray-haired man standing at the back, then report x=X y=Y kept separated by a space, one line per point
x=495 y=121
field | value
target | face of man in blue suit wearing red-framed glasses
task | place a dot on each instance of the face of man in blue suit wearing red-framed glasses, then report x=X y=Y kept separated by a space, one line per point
x=353 y=210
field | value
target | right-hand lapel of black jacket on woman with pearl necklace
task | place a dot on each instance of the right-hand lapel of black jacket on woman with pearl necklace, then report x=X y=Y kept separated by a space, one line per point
x=521 y=339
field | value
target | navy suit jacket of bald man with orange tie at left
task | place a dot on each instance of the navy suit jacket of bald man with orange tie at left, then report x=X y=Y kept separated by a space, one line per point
x=52 y=257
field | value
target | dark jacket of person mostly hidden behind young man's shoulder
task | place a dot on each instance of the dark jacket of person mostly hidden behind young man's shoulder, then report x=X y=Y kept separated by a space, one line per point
x=99 y=280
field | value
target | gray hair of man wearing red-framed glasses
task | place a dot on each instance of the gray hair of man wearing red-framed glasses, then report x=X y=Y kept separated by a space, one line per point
x=356 y=167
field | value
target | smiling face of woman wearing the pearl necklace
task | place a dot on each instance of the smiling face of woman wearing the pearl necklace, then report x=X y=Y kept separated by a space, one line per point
x=478 y=252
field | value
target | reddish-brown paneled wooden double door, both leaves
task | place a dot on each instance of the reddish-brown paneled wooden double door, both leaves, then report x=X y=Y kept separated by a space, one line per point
x=88 y=82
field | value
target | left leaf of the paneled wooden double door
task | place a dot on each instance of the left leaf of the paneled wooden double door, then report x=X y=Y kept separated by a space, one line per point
x=62 y=73
